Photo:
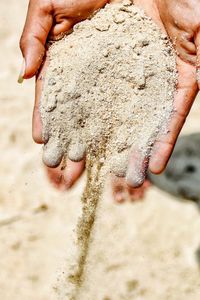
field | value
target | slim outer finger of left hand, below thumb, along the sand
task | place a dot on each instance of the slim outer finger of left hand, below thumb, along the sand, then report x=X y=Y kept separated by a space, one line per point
x=36 y=121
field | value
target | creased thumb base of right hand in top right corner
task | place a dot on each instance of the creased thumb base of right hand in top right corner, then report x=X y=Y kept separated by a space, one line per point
x=181 y=19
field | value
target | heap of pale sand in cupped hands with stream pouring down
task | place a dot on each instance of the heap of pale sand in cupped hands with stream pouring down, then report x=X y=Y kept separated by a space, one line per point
x=107 y=94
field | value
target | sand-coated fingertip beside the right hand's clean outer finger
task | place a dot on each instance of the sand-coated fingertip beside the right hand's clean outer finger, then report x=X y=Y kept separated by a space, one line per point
x=137 y=168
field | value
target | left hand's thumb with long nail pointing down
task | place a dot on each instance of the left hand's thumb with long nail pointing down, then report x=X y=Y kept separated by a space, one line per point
x=32 y=43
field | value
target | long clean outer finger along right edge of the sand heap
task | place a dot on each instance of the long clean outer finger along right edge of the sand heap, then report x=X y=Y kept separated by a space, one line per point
x=184 y=98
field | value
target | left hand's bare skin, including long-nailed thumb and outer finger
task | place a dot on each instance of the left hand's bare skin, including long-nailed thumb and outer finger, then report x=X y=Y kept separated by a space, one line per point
x=48 y=19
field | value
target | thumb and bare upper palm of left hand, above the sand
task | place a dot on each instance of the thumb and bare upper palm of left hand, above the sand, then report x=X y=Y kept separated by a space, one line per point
x=50 y=19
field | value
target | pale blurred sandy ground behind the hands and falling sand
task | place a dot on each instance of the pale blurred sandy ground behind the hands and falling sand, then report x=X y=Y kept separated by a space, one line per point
x=146 y=250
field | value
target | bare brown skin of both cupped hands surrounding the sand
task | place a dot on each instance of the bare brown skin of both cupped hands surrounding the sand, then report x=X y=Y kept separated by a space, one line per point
x=48 y=19
